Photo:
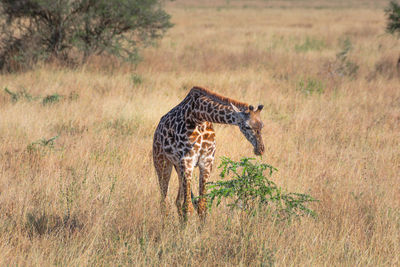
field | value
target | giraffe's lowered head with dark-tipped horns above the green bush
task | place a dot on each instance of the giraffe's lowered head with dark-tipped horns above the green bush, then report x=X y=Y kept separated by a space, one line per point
x=250 y=124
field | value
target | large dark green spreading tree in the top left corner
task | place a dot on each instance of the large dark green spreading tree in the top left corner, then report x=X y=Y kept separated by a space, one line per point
x=34 y=30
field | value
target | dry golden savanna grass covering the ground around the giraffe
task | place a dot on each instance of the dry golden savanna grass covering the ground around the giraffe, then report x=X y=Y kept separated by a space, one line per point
x=325 y=71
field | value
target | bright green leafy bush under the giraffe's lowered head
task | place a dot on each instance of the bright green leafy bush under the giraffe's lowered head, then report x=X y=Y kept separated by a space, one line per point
x=251 y=191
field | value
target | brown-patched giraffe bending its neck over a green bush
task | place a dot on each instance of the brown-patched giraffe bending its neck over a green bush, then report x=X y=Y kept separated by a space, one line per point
x=185 y=139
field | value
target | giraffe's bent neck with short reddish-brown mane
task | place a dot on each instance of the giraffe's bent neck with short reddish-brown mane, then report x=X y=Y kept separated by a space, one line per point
x=212 y=107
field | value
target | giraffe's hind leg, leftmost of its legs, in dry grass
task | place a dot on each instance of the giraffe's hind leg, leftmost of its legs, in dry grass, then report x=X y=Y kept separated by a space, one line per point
x=163 y=168
